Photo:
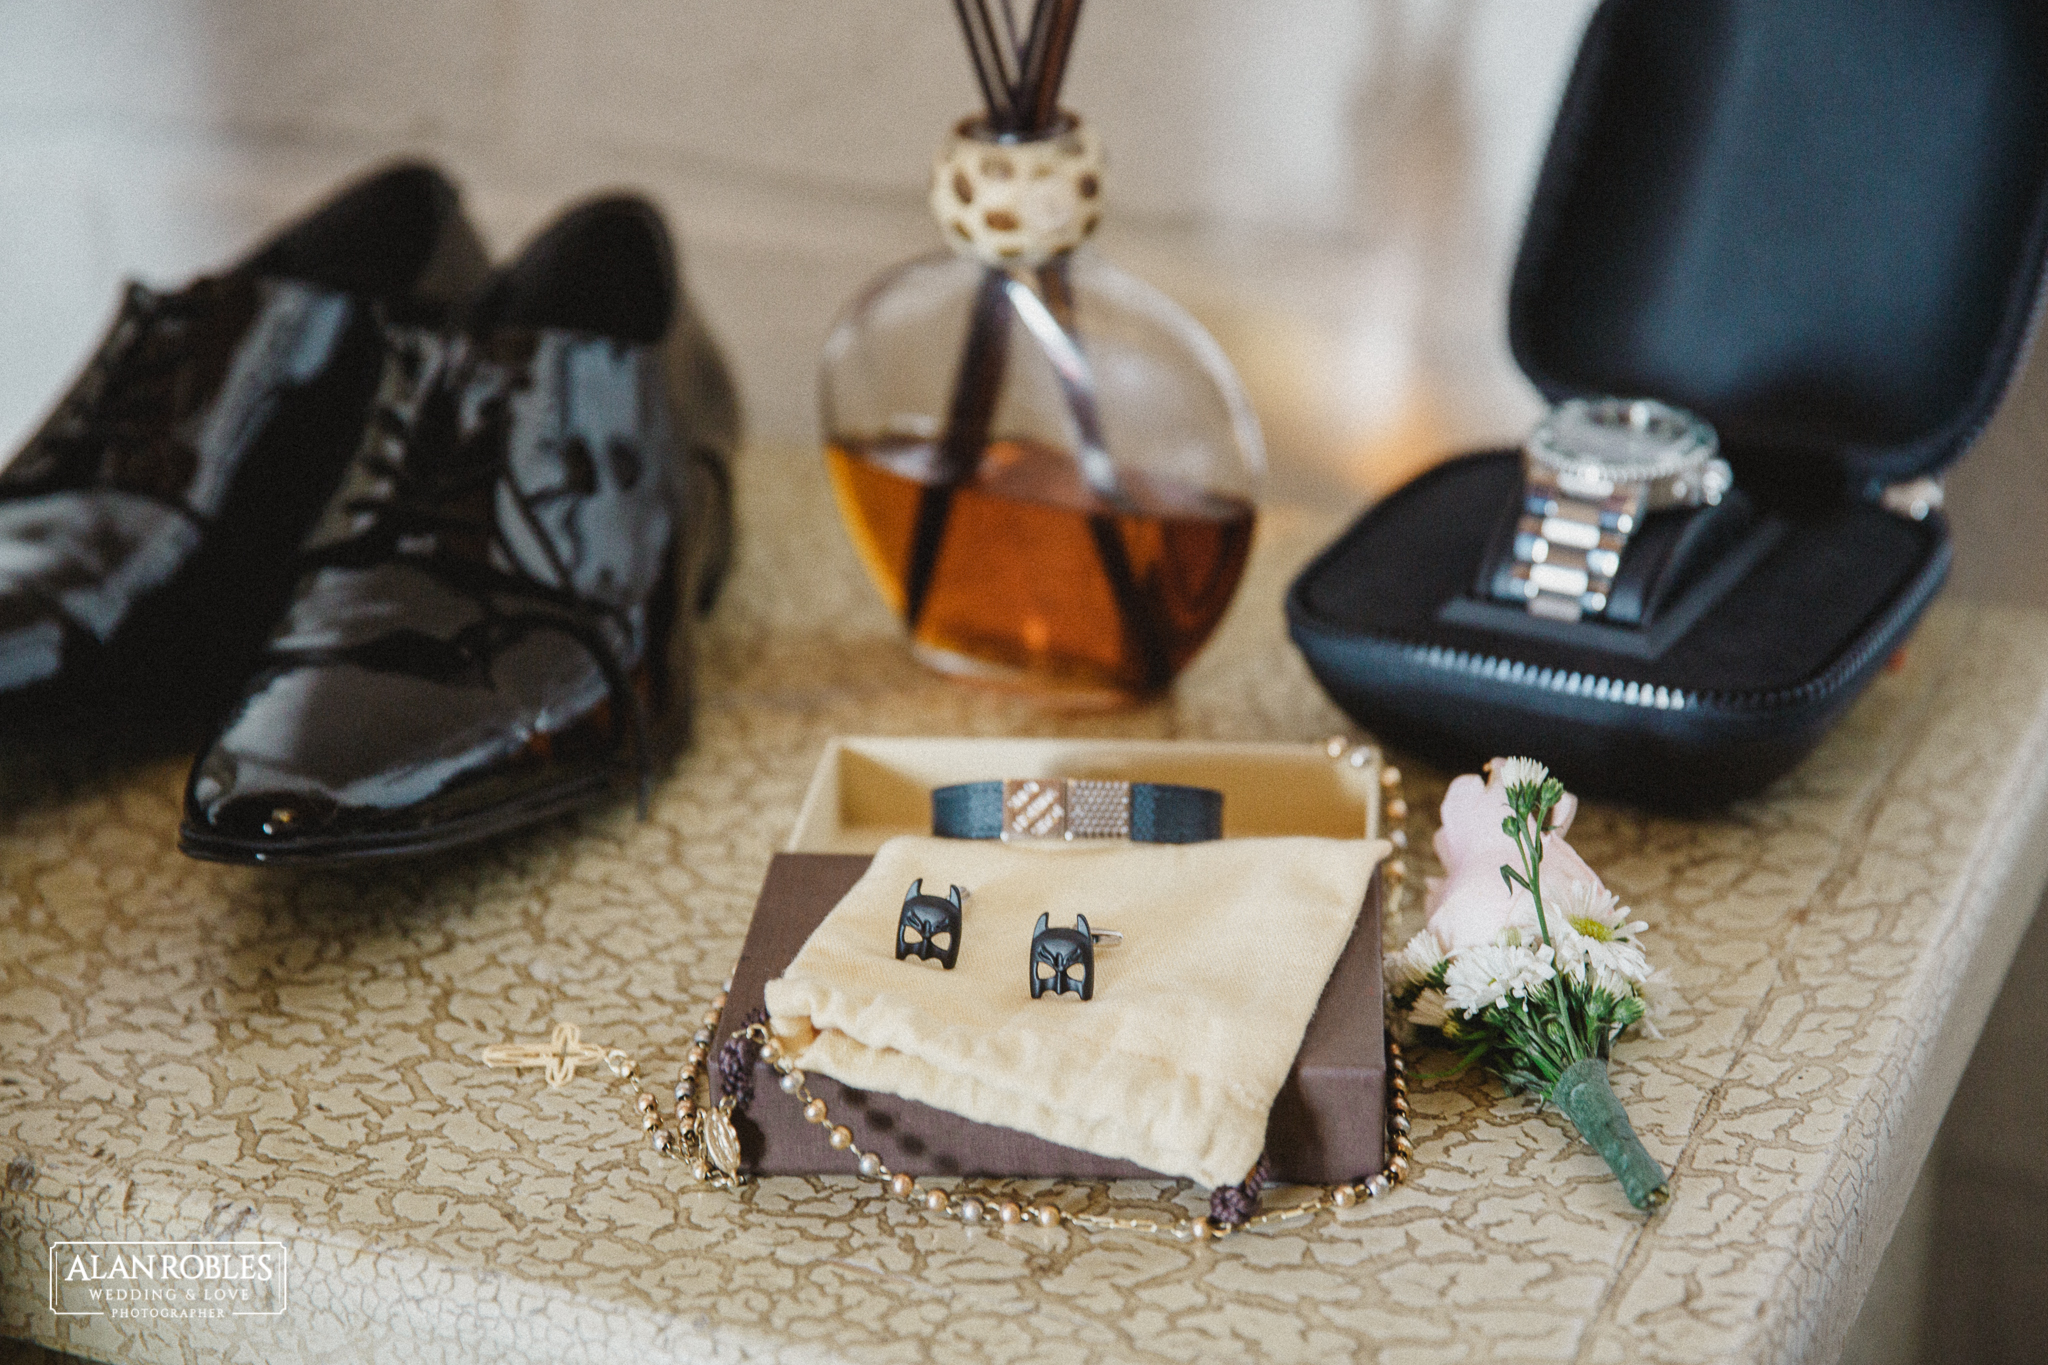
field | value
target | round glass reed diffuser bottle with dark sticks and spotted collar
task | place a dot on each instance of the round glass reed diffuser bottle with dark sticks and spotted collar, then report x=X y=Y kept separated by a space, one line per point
x=1048 y=468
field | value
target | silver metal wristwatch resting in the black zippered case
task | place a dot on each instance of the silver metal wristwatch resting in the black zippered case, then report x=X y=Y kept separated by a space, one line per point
x=1590 y=474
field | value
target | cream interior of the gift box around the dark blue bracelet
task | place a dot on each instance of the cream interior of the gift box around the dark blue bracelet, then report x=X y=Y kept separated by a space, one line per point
x=871 y=789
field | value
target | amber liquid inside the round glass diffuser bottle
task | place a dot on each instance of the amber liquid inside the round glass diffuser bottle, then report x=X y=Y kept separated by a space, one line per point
x=1035 y=576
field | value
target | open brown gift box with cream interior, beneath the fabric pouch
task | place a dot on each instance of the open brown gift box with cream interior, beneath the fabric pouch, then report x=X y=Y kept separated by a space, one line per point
x=1330 y=1118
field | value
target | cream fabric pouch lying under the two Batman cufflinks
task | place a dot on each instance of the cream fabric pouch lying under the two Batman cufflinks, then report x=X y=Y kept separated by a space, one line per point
x=1195 y=1020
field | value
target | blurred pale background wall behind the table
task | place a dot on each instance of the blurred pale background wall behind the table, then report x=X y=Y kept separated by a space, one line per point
x=1336 y=187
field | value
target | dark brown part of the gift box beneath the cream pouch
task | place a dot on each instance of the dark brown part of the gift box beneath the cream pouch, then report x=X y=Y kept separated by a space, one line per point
x=1328 y=1122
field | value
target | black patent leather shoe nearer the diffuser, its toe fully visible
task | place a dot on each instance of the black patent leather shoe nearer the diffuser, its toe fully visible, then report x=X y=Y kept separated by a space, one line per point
x=495 y=615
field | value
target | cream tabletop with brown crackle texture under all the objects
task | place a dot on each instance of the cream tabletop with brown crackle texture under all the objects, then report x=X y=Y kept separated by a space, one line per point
x=202 y=1053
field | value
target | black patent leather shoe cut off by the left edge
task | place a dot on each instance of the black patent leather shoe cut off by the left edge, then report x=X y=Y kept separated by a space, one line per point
x=148 y=527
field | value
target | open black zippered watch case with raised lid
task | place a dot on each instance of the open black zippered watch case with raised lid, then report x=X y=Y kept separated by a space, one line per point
x=1820 y=228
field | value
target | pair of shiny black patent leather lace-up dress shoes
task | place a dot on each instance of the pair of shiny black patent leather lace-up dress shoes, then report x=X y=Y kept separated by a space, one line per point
x=419 y=539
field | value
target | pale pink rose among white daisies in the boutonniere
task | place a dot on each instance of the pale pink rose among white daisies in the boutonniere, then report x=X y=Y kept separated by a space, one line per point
x=1469 y=904
